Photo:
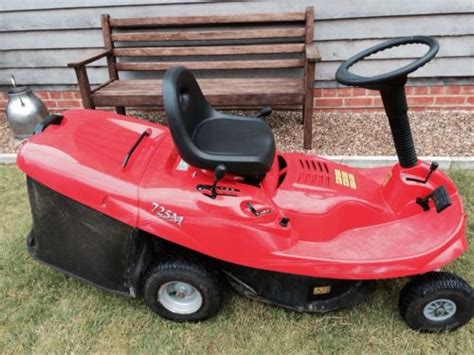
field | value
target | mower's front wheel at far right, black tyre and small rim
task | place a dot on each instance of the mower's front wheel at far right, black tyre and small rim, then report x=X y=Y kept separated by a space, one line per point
x=436 y=302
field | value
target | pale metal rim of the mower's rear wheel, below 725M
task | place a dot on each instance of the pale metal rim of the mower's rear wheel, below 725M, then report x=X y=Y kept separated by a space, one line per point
x=180 y=297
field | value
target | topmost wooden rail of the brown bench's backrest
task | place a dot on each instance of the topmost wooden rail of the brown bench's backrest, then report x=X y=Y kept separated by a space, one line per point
x=144 y=22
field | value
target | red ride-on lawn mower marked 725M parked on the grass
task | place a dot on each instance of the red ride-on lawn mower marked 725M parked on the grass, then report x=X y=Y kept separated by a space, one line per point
x=137 y=208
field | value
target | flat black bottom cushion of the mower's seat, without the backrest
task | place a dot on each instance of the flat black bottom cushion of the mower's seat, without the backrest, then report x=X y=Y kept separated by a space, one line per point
x=246 y=144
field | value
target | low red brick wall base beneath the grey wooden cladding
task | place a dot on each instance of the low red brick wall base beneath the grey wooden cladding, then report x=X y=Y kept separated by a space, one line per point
x=454 y=97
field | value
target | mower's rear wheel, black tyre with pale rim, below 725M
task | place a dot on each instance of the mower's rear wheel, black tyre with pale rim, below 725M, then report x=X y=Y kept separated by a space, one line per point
x=181 y=272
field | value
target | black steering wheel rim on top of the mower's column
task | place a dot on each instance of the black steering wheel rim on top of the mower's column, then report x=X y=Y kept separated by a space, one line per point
x=395 y=77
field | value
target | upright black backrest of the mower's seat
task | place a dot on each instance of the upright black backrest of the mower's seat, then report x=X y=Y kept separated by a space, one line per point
x=185 y=108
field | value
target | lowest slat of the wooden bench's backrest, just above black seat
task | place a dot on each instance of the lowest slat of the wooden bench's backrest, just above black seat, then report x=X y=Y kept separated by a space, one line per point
x=213 y=65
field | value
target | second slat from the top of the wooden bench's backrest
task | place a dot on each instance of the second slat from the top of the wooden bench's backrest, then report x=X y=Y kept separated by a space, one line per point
x=280 y=32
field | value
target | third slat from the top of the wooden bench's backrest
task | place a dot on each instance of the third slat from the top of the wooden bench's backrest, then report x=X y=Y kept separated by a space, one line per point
x=209 y=50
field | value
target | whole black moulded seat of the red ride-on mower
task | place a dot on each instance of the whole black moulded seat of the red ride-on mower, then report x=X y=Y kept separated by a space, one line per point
x=206 y=138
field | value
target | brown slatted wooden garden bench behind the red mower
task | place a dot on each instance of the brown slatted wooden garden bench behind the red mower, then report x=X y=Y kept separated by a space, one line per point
x=241 y=61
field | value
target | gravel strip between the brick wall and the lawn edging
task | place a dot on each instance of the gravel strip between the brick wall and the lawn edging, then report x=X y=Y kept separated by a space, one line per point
x=436 y=133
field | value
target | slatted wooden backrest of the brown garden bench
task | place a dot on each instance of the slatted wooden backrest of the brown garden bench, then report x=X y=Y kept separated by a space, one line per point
x=265 y=44
